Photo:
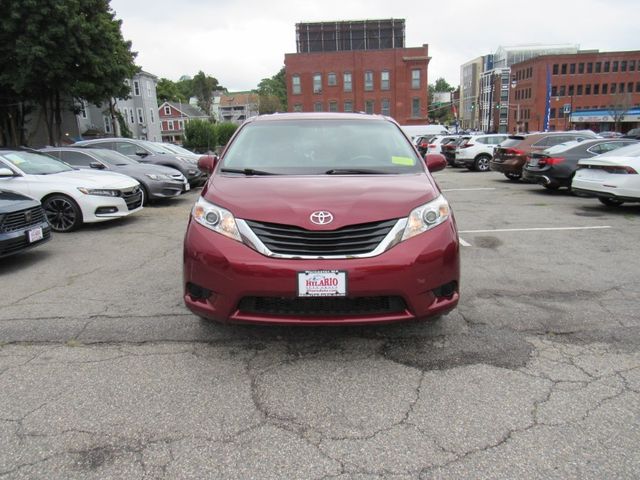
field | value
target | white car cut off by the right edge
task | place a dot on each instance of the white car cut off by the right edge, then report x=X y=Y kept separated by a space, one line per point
x=613 y=177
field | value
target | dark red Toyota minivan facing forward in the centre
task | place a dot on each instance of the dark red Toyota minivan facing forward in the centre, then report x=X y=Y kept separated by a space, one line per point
x=321 y=219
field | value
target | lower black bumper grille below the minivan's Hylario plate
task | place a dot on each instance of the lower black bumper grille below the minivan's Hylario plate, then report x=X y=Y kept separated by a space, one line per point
x=322 y=306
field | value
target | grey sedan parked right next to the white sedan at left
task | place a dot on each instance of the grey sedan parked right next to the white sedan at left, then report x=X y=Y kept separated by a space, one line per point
x=156 y=181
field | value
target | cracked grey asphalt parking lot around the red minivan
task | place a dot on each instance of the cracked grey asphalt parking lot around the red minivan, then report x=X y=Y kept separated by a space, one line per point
x=105 y=374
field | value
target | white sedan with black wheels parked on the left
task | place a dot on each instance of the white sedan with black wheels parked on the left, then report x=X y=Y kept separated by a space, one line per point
x=69 y=197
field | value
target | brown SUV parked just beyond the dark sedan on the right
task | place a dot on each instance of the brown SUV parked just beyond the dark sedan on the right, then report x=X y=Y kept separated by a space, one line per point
x=512 y=154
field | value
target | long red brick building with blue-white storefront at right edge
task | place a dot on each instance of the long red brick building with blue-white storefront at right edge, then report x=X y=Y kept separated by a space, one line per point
x=588 y=90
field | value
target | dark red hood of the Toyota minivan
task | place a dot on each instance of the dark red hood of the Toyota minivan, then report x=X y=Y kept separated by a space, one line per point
x=291 y=199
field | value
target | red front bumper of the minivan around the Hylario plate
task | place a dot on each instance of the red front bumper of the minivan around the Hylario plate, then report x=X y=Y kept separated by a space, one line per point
x=233 y=275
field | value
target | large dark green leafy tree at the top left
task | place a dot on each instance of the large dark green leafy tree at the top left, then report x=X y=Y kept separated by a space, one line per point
x=52 y=50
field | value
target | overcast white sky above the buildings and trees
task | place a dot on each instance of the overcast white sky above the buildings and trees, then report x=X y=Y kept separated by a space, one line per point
x=241 y=42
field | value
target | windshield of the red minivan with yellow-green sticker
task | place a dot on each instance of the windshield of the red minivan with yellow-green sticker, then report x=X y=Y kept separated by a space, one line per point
x=312 y=147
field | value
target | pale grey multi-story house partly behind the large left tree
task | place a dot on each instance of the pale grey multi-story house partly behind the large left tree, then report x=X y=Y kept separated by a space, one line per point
x=139 y=111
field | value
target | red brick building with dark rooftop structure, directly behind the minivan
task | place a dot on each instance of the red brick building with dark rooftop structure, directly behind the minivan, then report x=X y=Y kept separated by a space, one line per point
x=354 y=66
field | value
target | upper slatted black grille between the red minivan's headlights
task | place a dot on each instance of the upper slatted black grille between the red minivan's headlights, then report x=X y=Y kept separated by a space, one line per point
x=350 y=240
